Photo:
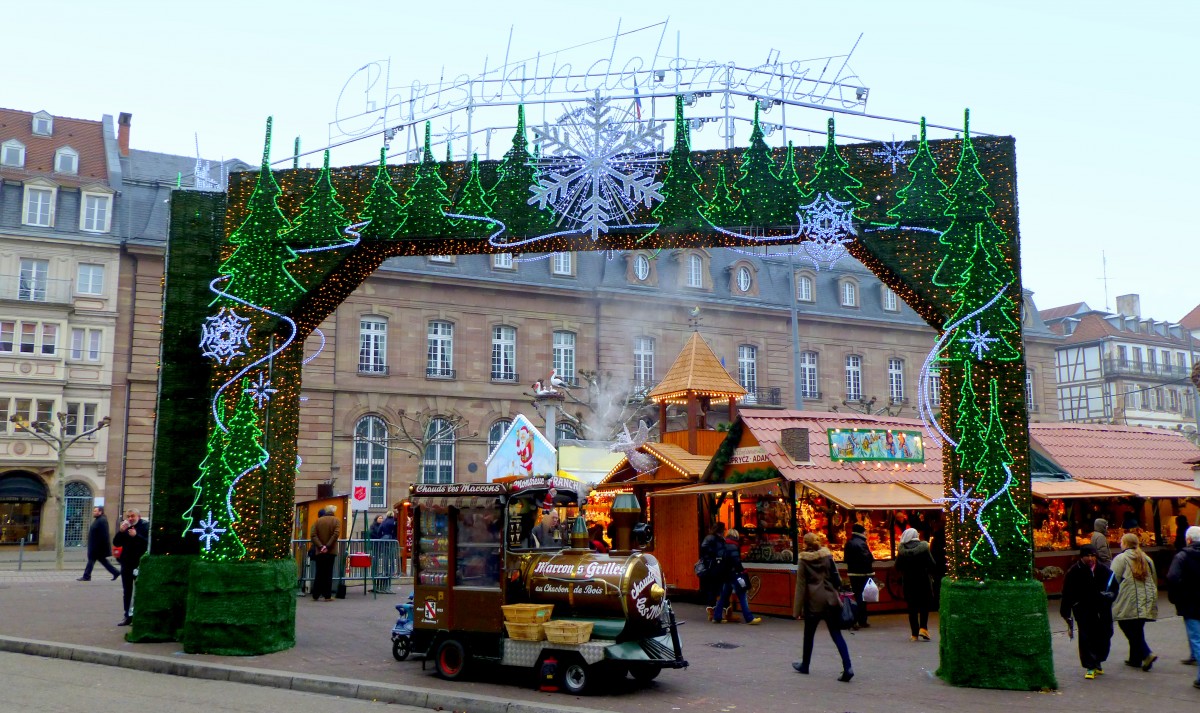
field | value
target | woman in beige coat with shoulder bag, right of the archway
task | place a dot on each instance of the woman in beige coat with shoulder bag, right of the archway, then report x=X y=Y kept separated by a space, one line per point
x=1137 y=601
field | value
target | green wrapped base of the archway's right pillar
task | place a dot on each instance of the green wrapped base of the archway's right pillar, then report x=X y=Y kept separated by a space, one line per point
x=995 y=636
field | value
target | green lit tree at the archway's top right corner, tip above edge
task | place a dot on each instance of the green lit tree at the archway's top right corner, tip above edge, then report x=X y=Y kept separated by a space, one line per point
x=971 y=209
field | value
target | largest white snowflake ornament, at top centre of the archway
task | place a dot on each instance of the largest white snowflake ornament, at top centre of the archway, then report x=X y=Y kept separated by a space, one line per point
x=597 y=167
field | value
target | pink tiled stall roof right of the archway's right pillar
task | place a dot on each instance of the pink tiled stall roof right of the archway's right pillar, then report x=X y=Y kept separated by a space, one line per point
x=1117 y=453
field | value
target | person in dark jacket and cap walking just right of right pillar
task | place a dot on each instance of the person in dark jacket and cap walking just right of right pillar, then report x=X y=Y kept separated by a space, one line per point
x=1088 y=595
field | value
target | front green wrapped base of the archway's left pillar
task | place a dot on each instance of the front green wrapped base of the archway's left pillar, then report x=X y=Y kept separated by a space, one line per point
x=241 y=609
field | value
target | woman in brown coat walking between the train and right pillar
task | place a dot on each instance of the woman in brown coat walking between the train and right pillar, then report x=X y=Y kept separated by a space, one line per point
x=817 y=597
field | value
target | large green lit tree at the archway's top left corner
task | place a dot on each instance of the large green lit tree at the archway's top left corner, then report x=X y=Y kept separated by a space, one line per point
x=259 y=267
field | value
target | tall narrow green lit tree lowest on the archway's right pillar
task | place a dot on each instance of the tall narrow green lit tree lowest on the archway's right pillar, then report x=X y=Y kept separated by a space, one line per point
x=1003 y=548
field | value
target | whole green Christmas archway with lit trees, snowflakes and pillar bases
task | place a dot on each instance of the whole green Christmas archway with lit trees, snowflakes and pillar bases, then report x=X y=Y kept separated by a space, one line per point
x=259 y=269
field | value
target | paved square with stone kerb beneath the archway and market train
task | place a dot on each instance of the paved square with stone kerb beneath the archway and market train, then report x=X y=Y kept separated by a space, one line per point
x=345 y=649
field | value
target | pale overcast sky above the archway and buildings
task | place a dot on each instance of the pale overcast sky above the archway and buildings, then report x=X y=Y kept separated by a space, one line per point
x=1100 y=95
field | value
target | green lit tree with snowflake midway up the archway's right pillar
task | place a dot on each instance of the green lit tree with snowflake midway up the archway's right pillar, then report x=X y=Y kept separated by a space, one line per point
x=988 y=334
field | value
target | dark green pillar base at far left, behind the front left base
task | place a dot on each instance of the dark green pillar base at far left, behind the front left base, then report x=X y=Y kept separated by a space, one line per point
x=160 y=598
